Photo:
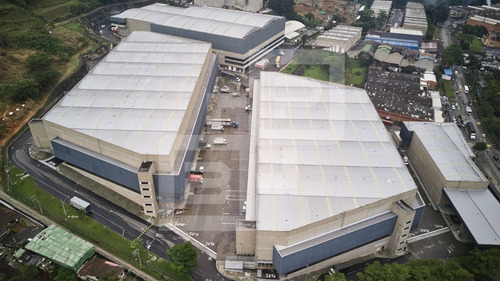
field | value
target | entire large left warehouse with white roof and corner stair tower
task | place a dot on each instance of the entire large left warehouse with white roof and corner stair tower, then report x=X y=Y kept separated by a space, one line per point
x=135 y=119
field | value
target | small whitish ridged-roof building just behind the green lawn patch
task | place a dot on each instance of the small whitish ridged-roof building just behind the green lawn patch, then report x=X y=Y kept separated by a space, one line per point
x=340 y=38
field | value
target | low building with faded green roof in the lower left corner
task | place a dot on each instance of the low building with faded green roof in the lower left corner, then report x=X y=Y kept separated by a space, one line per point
x=62 y=247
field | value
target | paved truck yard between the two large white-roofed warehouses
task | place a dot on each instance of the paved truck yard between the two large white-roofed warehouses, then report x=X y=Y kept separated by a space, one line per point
x=211 y=208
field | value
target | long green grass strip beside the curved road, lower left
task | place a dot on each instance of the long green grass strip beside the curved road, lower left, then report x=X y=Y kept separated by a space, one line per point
x=24 y=189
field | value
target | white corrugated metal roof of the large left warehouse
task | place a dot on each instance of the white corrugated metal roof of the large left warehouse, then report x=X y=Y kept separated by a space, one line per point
x=137 y=96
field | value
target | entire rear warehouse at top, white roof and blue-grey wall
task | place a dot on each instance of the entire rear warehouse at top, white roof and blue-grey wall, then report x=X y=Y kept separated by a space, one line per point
x=239 y=38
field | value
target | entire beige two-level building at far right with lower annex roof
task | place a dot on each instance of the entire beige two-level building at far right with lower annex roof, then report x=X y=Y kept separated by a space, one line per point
x=445 y=164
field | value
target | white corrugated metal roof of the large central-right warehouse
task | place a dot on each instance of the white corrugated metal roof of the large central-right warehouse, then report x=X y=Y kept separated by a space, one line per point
x=321 y=150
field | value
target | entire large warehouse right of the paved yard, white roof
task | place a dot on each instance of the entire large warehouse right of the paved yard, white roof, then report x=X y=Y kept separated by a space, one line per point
x=326 y=184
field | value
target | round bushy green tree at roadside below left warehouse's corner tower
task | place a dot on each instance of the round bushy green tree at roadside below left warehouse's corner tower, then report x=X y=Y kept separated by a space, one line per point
x=184 y=257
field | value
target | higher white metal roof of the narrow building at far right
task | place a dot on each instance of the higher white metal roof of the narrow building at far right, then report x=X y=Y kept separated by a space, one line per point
x=448 y=149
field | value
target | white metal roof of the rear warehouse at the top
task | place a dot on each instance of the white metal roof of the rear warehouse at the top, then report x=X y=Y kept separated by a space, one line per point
x=230 y=23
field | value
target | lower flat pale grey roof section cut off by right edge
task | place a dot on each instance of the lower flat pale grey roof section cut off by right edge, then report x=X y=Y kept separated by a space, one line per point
x=480 y=211
